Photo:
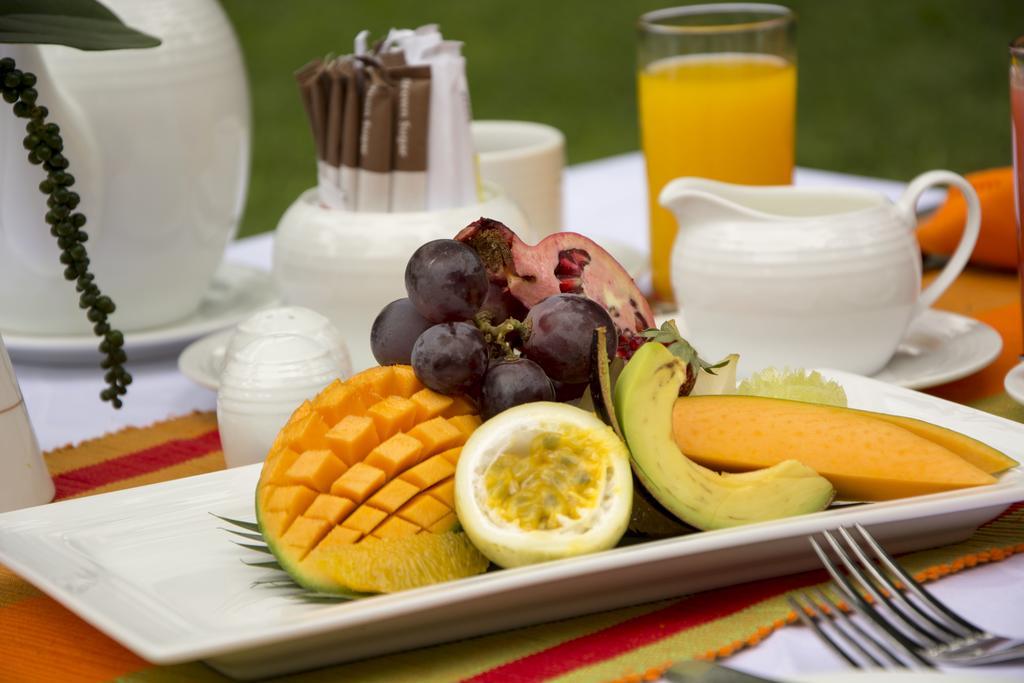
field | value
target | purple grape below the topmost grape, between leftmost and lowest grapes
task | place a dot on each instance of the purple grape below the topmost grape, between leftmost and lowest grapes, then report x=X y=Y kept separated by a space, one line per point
x=451 y=358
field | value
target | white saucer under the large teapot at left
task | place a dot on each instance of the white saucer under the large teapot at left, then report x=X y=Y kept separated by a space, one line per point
x=237 y=292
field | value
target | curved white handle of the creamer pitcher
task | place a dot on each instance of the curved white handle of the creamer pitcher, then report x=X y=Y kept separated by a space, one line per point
x=972 y=228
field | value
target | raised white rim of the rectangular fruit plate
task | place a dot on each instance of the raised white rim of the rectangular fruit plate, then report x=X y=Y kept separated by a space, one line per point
x=1009 y=490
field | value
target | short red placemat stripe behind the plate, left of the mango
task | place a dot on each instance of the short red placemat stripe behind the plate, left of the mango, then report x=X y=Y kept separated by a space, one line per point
x=136 y=464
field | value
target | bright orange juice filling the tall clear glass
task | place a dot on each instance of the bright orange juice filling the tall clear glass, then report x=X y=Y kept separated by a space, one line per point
x=728 y=117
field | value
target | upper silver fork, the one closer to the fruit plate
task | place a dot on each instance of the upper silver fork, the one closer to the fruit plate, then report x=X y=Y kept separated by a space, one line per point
x=910 y=619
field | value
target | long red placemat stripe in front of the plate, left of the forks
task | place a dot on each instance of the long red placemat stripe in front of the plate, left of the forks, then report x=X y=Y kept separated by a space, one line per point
x=645 y=630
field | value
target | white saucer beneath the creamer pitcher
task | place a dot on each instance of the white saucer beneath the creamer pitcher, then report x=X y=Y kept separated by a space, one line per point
x=940 y=348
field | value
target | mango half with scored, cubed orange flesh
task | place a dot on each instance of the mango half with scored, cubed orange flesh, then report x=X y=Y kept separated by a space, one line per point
x=370 y=460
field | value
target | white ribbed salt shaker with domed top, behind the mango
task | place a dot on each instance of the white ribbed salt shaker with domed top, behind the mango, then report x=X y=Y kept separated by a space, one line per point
x=263 y=385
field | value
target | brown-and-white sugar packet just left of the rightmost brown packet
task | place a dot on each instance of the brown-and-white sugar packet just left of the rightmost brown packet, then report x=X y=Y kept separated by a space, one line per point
x=376 y=138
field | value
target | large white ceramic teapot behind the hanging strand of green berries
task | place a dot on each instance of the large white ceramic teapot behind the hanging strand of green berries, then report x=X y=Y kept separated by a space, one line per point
x=158 y=142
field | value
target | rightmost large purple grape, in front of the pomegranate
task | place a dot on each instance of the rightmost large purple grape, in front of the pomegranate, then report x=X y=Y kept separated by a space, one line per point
x=562 y=329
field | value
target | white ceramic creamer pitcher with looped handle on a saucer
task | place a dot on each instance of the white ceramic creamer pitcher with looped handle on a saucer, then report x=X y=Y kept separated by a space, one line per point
x=808 y=278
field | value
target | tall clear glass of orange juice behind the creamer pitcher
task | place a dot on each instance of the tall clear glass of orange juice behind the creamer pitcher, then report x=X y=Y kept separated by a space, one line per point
x=717 y=89
